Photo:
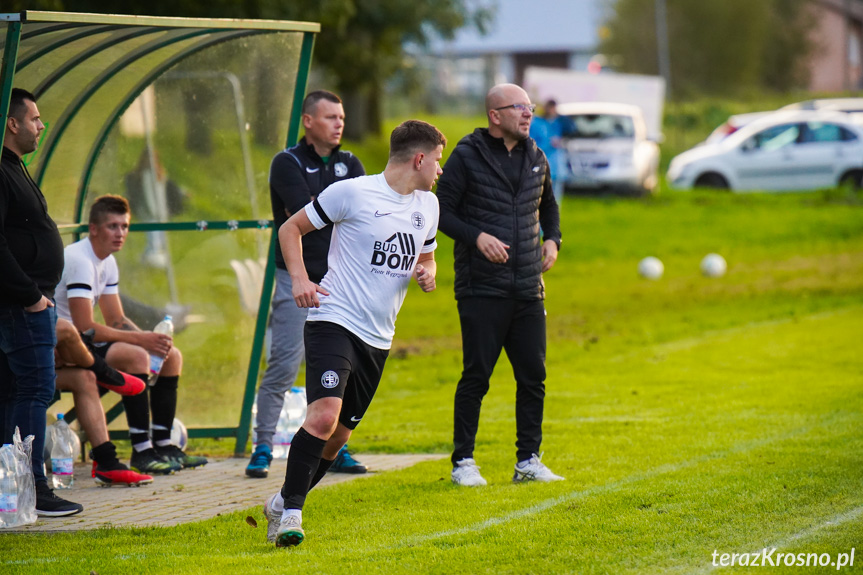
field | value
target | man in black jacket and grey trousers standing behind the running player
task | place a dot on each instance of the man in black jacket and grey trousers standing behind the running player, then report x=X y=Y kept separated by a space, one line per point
x=297 y=175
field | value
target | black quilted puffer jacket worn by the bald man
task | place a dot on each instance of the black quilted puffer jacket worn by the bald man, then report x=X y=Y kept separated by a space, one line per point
x=477 y=195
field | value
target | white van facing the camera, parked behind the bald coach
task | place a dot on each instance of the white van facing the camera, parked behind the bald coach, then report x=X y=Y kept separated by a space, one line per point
x=609 y=149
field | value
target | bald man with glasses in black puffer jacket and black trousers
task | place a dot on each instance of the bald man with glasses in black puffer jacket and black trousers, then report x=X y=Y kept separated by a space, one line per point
x=495 y=197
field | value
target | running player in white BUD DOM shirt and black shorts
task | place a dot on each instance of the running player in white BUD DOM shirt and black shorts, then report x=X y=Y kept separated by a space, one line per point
x=383 y=235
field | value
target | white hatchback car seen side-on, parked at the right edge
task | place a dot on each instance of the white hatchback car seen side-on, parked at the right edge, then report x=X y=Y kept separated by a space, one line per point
x=787 y=150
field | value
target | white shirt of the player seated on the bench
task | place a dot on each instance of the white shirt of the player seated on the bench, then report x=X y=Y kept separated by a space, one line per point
x=85 y=275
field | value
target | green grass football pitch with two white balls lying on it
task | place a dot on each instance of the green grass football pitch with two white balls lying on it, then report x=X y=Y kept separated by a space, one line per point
x=689 y=415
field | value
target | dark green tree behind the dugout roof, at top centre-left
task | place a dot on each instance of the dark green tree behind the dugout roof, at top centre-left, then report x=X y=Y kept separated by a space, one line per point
x=359 y=46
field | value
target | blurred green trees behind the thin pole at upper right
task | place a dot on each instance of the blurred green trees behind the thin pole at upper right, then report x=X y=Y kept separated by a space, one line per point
x=726 y=47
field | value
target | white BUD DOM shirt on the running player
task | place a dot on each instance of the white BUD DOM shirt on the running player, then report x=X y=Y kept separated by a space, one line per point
x=378 y=235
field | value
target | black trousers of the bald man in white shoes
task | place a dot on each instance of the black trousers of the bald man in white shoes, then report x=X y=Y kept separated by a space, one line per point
x=487 y=326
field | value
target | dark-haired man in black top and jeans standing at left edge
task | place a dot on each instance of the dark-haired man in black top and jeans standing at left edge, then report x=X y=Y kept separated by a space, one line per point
x=31 y=257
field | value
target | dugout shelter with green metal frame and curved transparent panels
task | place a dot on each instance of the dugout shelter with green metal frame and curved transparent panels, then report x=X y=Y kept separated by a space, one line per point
x=197 y=106
